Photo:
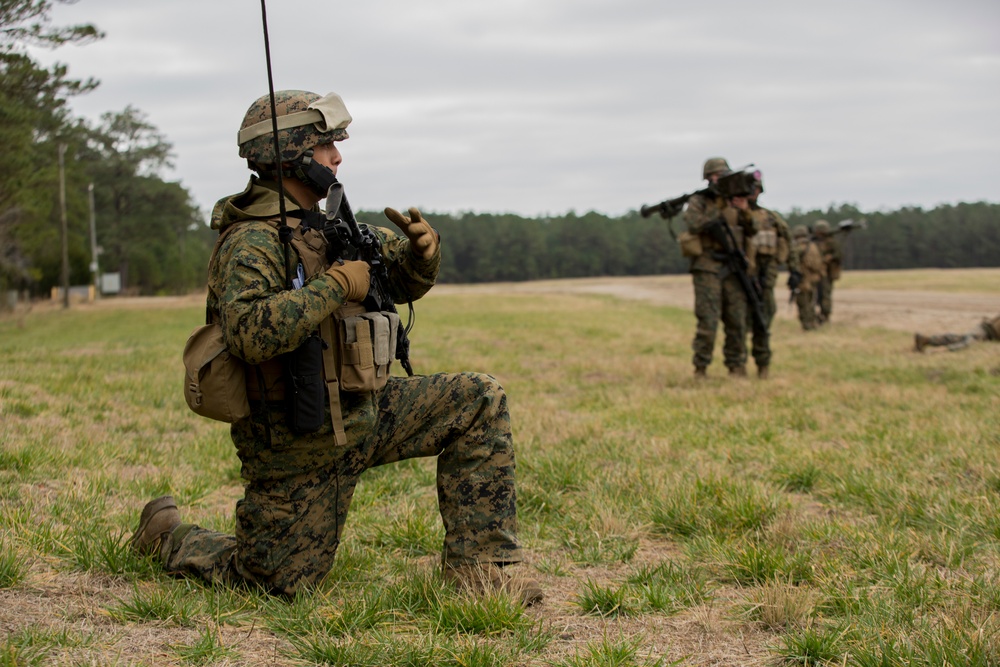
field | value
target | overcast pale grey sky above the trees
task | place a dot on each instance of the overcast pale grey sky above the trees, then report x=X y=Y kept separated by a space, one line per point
x=542 y=106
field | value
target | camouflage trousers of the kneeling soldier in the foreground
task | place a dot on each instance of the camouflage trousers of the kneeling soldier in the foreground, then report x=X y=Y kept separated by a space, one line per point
x=299 y=487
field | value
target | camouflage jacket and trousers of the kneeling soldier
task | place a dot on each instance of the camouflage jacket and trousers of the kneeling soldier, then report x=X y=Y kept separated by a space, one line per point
x=298 y=488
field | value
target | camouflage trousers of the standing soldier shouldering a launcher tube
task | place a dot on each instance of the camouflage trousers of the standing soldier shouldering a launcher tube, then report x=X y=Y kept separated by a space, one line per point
x=719 y=297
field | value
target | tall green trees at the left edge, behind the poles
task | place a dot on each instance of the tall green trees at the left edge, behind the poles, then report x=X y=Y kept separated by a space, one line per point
x=149 y=229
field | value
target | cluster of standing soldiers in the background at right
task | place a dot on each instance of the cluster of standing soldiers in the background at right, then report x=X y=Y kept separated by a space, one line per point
x=764 y=239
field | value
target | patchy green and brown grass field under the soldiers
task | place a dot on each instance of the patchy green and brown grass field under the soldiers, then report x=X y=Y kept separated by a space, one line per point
x=844 y=512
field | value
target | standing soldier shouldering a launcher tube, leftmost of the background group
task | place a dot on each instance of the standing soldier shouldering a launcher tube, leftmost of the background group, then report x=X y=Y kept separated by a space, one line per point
x=718 y=293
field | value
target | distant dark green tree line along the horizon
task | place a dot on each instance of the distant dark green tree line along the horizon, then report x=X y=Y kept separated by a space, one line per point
x=485 y=247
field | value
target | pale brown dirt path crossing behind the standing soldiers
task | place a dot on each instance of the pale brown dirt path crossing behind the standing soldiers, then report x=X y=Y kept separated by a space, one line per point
x=902 y=310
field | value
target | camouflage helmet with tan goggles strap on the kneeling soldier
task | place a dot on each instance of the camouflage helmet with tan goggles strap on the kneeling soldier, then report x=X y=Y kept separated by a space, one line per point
x=305 y=120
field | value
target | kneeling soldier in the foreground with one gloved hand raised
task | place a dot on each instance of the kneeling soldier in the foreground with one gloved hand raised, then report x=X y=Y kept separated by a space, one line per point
x=274 y=293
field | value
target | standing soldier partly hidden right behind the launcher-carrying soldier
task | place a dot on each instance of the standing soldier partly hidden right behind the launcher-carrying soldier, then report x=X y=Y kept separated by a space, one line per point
x=770 y=247
